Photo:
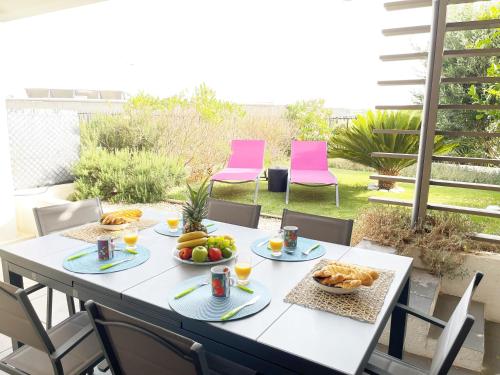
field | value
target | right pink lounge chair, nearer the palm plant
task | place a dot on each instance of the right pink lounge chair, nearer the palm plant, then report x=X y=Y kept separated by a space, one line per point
x=309 y=167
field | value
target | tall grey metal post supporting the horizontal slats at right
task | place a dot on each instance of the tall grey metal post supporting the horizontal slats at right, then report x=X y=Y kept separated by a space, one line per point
x=430 y=109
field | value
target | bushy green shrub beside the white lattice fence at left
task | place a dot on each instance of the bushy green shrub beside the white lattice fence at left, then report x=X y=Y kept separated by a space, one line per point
x=126 y=176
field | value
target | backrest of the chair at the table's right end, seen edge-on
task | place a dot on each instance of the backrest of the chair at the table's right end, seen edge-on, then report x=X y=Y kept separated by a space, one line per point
x=455 y=332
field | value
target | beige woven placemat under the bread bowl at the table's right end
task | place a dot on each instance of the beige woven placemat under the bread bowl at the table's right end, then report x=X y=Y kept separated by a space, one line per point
x=364 y=304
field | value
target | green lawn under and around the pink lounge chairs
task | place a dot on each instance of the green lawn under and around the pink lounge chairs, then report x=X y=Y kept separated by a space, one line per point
x=353 y=197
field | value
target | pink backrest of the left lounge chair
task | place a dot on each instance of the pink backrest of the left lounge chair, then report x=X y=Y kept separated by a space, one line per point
x=247 y=154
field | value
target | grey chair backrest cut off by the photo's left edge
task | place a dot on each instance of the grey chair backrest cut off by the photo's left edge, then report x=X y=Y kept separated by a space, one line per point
x=19 y=321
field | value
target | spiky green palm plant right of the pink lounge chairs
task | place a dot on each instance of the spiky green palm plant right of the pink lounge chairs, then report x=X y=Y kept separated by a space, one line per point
x=357 y=142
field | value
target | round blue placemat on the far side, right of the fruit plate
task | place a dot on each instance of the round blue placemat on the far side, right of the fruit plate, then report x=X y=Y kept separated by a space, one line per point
x=297 y=256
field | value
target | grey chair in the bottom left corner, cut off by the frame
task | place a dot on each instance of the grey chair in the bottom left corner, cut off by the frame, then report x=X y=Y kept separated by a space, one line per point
x=70 y=347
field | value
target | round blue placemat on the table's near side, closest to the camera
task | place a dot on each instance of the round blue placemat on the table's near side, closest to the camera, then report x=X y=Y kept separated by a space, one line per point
x=201 y=305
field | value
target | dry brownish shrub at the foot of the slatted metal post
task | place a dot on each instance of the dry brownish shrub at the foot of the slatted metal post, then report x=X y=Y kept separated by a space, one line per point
x=442 y=240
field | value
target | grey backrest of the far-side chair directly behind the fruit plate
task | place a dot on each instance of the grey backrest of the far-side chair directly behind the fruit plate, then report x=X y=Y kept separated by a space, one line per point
x=246 y=215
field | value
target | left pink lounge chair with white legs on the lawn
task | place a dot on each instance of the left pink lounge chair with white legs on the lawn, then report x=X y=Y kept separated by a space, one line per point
x=245 y=164
